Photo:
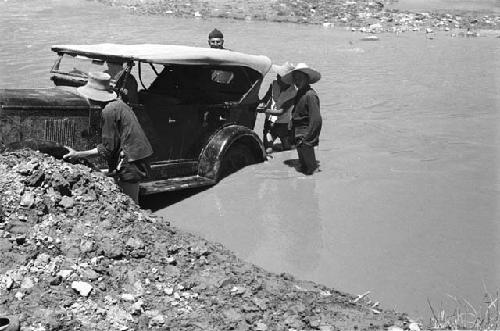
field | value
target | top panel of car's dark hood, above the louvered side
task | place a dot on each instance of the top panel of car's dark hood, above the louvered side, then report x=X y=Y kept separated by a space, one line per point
x=47 y=98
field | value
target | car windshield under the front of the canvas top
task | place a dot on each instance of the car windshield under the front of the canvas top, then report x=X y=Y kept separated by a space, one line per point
x=80 y=66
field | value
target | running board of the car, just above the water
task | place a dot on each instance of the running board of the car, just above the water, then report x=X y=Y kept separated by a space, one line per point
x=174 y=184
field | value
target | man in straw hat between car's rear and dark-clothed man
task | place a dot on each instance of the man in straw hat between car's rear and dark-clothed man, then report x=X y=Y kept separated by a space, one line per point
x=278 y=105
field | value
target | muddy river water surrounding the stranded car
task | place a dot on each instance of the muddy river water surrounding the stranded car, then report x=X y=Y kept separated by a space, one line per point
x=407 y=203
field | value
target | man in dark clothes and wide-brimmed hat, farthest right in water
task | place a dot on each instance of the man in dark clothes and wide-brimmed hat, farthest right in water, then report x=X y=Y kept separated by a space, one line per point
x=306 y=117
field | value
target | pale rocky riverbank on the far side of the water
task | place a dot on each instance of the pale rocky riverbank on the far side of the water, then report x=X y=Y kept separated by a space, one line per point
x=373 y=16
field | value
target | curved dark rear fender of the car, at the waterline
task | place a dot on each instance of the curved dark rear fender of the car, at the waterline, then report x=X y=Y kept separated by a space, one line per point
x=213 y=152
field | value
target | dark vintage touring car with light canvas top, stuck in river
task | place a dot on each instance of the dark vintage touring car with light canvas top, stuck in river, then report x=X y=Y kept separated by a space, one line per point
x=197 y=107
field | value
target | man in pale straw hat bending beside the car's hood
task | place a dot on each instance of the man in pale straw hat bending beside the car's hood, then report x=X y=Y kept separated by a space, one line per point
x=124 y=144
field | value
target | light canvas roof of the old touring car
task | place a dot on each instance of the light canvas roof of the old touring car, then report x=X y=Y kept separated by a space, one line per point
x=170 y=54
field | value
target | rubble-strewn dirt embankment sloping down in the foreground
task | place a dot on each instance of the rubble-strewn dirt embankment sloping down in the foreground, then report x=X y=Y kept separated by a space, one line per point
x=76 y=254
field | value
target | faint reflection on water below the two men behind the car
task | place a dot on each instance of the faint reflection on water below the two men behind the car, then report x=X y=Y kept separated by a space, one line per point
x=290 y=241
